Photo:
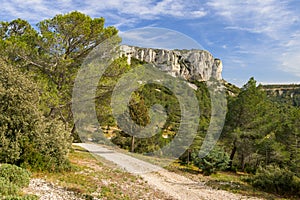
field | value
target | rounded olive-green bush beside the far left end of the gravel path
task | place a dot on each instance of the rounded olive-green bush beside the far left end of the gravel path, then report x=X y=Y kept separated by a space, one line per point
x=48 y=152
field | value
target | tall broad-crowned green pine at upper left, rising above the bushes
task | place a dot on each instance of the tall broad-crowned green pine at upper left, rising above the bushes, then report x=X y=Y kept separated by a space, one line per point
x=53 y=54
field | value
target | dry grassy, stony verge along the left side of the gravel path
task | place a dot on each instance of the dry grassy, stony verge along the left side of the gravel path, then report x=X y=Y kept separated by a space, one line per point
x=91 y=176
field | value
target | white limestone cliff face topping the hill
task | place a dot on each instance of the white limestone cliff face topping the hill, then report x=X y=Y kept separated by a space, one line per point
x=189 y=64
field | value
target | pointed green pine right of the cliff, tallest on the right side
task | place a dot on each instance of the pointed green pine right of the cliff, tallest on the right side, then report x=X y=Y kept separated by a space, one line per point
x=246 y=121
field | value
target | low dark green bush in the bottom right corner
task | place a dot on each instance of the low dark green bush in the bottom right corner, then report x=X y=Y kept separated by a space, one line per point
x=276 y=180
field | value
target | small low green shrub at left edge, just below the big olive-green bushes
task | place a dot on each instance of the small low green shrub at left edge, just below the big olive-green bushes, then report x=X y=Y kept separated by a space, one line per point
x=15 y=175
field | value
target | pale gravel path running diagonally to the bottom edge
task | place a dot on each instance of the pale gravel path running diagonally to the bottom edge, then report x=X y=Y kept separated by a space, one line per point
x=172 y=184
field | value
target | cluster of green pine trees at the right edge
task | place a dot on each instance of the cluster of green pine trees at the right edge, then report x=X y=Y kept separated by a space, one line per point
x=261 y=132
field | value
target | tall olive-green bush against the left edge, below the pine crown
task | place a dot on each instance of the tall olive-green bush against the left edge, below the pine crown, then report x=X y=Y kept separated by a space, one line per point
x=18 y=113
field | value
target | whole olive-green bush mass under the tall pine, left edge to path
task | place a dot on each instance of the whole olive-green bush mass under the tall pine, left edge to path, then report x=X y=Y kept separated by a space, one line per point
x=26 y=138
